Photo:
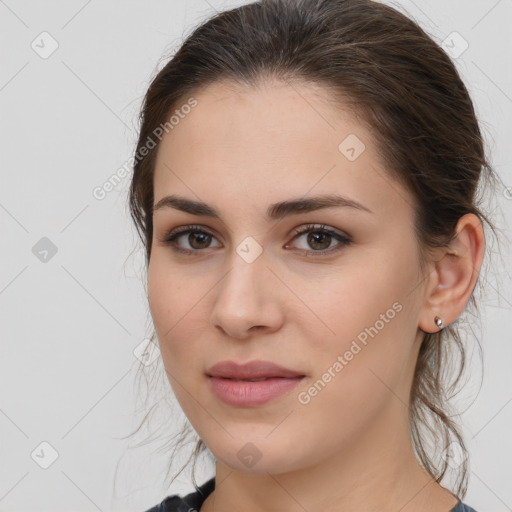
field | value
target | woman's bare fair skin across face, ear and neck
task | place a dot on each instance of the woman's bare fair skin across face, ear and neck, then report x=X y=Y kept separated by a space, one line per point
x=239 y=150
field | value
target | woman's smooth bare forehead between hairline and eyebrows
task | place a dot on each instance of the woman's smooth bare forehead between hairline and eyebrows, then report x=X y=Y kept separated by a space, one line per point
x=269 y=141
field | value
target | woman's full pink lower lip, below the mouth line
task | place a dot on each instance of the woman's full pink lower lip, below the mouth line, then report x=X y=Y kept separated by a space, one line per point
x=246 y=394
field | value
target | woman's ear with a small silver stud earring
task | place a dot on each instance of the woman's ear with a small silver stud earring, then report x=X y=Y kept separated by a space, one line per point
x=453 y=274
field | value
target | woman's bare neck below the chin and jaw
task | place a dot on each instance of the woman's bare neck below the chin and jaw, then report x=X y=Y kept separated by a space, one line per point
x=379 y=473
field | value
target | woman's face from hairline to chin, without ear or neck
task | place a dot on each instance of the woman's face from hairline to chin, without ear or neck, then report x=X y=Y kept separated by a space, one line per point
x=341 y=309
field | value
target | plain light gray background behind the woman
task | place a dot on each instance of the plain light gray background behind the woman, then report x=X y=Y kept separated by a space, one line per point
x=70 y=324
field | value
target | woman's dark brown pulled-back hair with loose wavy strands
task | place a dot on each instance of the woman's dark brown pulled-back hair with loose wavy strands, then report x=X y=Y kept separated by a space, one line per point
x=408 y=92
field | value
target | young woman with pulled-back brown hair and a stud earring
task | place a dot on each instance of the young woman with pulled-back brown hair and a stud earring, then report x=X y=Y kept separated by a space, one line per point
x=304 y=187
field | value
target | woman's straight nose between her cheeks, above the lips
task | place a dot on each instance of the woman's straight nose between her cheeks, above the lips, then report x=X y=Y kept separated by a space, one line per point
x=247 y=299
